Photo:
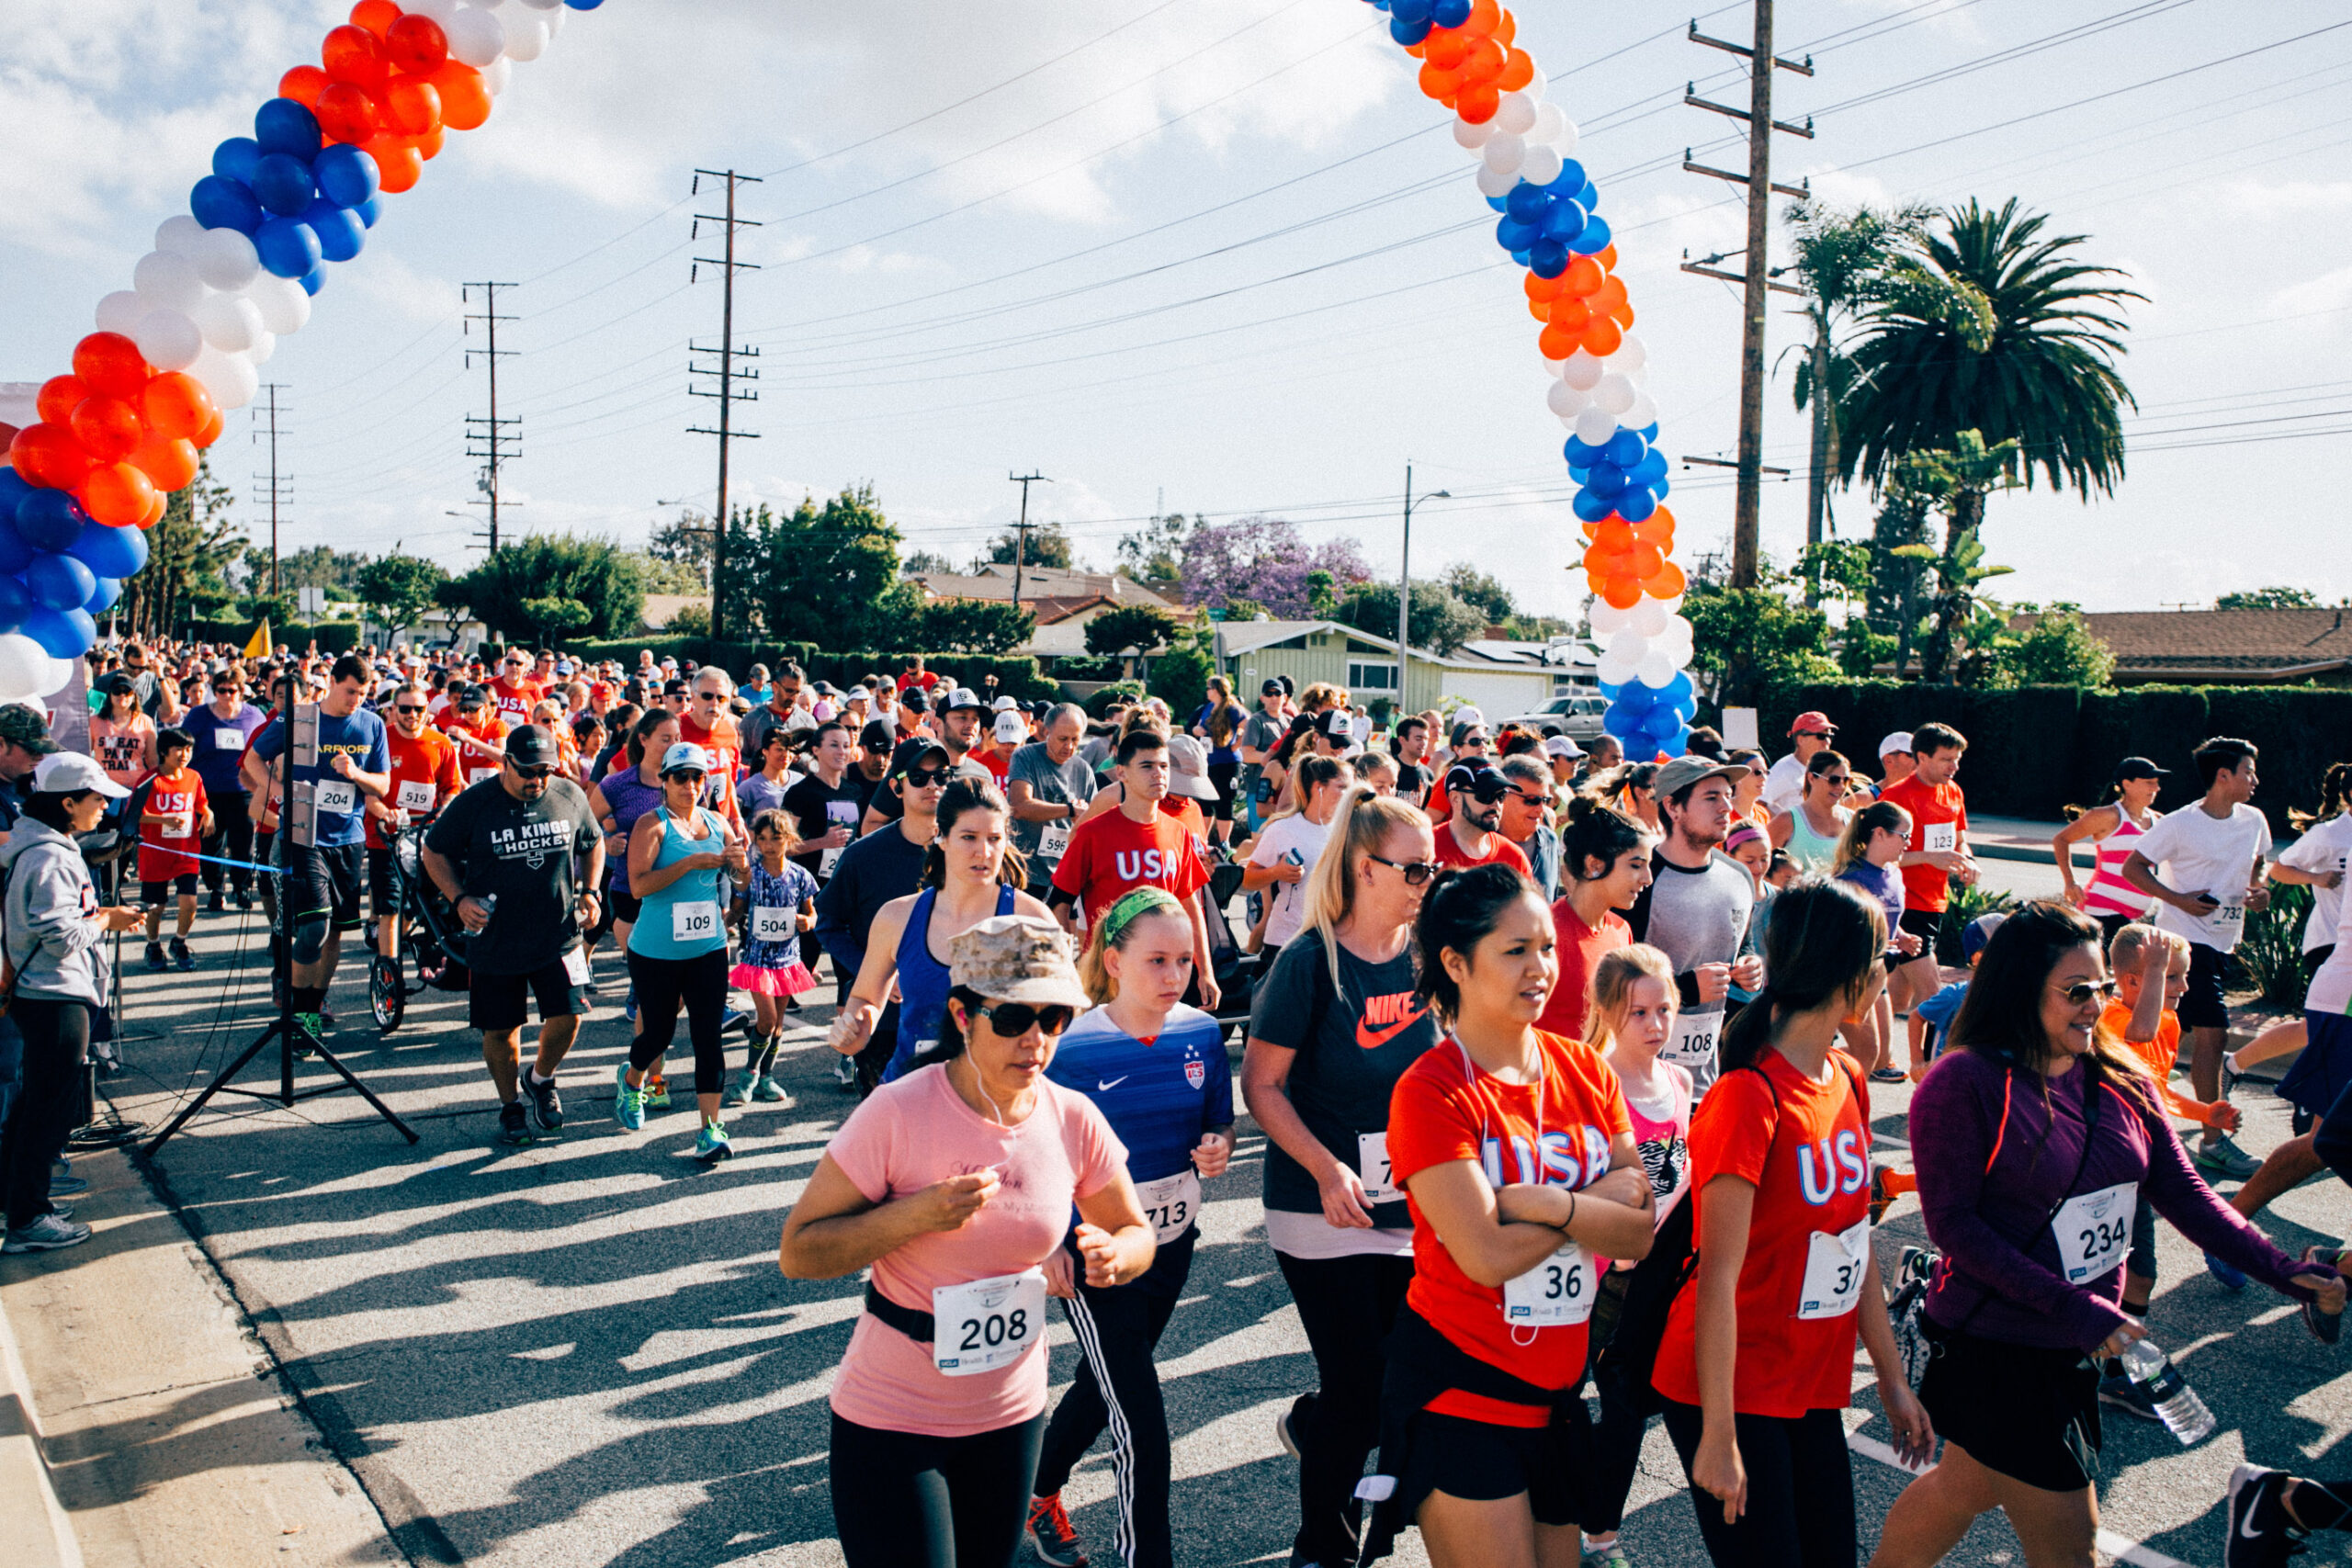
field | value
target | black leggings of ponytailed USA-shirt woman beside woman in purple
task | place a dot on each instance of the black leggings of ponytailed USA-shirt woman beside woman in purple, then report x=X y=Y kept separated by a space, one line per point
x=1800 y=1492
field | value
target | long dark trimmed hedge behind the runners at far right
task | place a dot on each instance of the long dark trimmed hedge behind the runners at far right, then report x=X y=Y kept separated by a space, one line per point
x=2036 y=751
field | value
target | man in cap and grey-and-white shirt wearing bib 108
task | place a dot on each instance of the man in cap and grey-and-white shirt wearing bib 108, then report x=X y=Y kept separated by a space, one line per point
x=1697 y=909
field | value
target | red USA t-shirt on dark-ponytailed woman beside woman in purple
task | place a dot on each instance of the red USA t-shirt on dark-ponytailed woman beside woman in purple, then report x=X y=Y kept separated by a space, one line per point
x=1810 y=1162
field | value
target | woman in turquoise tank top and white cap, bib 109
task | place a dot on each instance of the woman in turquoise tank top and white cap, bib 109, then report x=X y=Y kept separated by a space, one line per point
x=679 y=944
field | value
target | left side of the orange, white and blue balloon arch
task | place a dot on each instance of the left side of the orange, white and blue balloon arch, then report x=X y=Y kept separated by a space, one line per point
x=211 y=302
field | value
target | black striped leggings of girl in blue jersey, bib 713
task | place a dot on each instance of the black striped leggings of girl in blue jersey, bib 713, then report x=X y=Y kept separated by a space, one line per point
x=1118 y=1332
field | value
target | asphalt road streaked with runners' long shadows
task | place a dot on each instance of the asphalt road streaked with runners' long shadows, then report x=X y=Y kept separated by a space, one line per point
x=582 y=1353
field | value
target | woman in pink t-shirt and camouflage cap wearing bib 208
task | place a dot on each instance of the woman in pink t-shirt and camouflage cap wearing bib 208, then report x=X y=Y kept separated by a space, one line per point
x=956 y=1186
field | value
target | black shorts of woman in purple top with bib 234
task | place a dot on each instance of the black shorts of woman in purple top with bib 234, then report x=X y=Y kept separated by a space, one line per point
x=2022 y=1412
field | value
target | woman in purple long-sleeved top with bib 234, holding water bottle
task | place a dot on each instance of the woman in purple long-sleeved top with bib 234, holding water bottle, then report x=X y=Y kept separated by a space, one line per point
x=2033 y=1139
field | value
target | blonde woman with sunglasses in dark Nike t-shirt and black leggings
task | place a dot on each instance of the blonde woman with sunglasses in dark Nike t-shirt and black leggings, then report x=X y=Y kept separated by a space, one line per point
x=1332 y=1028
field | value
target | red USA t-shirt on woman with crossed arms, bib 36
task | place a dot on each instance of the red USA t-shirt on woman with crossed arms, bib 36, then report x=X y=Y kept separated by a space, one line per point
x=1445 y=1111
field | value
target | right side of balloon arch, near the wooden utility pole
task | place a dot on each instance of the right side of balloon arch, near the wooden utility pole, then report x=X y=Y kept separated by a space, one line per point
x=1551 y=227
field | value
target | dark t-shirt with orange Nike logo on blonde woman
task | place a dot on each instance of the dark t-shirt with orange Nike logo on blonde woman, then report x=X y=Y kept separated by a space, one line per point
x=1354 y=1045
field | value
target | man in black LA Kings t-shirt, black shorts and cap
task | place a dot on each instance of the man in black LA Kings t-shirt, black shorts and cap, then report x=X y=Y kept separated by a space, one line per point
x=521 y=859
